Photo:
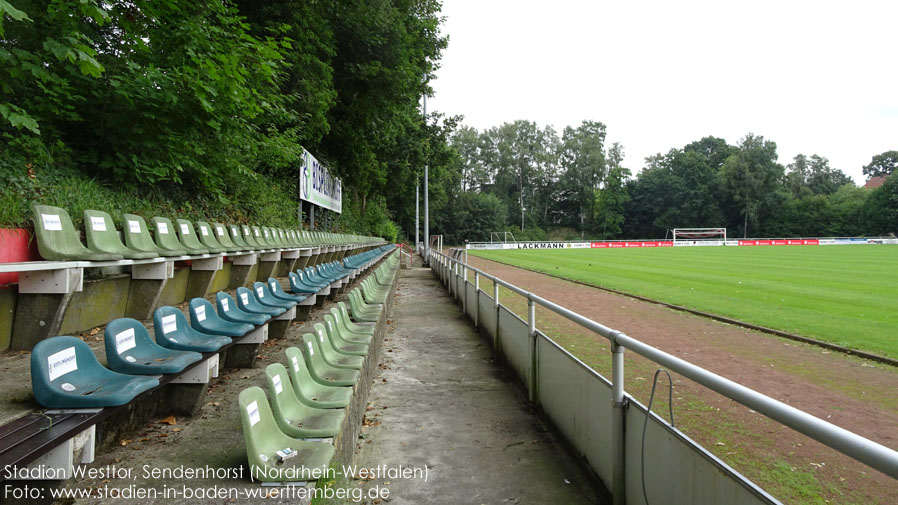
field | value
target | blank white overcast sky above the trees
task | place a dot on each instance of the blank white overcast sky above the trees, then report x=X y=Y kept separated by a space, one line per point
x=815 y=77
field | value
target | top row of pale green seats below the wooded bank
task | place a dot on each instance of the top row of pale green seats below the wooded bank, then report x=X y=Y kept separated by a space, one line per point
x=58 y=240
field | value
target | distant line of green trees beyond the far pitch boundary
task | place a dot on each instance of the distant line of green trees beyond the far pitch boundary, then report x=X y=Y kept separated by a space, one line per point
x=574 y=182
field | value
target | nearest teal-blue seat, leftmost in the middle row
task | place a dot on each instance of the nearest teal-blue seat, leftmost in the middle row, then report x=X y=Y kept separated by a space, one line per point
x=65 y=374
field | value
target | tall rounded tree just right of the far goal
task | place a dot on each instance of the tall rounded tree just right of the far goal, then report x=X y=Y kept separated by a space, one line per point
x=751 y=176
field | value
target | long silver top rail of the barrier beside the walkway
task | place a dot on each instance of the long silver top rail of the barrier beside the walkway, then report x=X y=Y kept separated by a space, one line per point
x=861 y=449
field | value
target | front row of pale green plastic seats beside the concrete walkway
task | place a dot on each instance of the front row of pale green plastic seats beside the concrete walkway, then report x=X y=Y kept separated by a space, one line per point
x=316 y=380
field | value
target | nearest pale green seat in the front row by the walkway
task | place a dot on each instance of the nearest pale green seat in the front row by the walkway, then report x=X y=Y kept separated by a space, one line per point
x=264 y=440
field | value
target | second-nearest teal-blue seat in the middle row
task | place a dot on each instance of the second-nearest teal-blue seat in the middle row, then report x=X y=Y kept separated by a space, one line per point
x=130 y=350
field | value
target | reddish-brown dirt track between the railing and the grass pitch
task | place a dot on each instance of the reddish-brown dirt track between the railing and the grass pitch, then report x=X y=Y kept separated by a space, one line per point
x=849 y=392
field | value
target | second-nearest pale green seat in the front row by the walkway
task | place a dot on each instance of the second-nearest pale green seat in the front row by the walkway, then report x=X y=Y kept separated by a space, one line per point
x=294 y=418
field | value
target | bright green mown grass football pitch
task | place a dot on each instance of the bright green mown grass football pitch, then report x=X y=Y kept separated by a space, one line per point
x=847 y=295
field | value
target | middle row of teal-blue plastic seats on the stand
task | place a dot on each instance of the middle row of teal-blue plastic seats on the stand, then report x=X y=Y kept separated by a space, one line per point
x=65 y=373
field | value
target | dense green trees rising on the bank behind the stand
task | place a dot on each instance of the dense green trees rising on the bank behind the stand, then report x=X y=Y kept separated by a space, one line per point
x=208 y=103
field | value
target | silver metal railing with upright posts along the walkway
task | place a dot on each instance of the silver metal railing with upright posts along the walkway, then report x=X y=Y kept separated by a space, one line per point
x=851 y=444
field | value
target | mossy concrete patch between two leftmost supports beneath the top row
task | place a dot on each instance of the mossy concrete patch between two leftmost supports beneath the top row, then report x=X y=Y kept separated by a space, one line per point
x=99 y=302
